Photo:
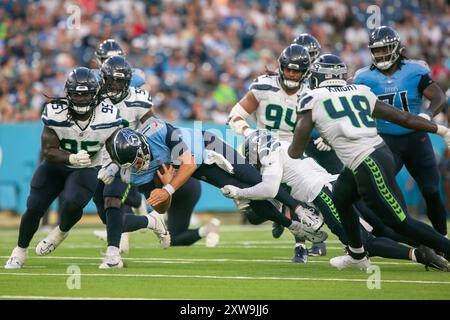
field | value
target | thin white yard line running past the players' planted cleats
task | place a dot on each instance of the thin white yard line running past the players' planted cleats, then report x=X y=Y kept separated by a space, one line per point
x=180 y=260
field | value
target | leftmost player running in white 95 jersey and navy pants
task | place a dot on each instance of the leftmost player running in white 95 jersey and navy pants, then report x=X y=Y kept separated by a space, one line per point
x=75 y=130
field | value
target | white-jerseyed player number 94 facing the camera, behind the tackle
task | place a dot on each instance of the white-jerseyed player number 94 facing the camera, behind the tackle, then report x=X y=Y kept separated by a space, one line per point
x=272 y=99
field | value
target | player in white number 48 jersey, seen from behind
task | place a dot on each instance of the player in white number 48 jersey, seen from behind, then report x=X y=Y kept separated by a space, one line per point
x=344 y=116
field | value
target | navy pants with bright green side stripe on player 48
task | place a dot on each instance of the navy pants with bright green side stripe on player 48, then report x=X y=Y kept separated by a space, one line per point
x=374 y=181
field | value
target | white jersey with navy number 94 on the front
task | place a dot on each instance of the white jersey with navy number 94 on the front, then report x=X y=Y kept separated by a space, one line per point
x=276 y=109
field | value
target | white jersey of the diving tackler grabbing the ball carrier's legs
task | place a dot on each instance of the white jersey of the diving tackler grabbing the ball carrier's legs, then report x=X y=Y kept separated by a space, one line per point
x=305 y=177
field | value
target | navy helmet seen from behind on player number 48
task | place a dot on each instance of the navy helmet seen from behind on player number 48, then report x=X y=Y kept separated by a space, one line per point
x=327 y=71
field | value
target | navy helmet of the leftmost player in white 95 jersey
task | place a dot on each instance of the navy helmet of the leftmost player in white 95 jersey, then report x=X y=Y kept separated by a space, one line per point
x=81 y=89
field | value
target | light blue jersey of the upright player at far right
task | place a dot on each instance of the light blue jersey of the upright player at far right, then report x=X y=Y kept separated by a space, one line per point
x=403 y=90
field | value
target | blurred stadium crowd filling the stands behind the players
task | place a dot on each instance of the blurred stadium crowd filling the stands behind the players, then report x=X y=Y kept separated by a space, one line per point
x=198 y=56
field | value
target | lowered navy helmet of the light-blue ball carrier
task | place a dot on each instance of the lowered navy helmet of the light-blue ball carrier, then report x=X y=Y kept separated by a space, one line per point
x=129 y=148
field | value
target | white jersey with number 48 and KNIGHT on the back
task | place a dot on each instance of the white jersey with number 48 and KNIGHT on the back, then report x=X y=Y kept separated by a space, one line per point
x=343 y=117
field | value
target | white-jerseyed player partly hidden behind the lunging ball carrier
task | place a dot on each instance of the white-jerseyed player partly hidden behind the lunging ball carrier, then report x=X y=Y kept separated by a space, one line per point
x=113 y=198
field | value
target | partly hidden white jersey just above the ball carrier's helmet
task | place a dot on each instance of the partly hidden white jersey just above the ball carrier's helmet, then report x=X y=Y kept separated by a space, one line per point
x=137 y=103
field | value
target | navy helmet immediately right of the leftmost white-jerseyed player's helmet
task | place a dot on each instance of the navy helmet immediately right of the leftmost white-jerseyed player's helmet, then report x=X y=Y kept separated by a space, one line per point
x=116 y=74
